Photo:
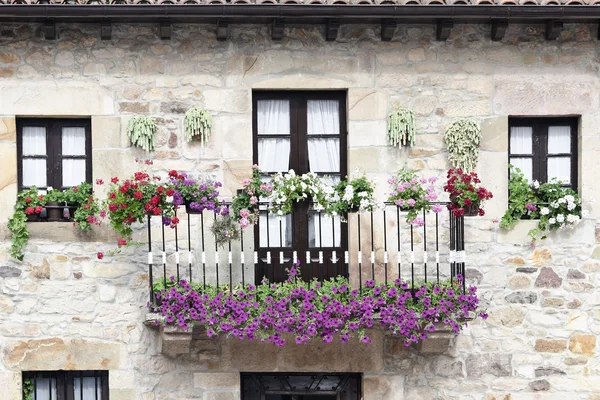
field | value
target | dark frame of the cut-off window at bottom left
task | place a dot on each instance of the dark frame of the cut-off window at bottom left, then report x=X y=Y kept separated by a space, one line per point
x=65 y=382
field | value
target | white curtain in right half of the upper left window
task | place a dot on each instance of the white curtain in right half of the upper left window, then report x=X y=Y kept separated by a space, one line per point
x=73 y=144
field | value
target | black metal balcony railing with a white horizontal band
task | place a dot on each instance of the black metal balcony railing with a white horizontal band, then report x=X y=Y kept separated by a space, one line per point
x=382 y=247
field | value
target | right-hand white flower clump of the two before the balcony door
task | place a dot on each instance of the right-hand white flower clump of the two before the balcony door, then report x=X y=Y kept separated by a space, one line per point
x=353 y=195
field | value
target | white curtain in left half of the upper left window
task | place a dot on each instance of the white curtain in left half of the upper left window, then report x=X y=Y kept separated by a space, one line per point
x=34 y=143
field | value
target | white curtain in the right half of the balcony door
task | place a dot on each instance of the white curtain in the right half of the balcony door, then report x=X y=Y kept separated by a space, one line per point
x=324 y=156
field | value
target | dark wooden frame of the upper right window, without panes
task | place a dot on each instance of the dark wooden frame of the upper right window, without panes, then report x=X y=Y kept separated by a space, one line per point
x=539 y=154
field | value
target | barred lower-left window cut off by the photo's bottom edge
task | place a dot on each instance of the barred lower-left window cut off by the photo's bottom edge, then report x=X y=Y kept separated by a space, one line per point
x=65 y=385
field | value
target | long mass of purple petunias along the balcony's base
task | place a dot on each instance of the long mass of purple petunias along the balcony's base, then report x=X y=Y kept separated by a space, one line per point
x=317 y=311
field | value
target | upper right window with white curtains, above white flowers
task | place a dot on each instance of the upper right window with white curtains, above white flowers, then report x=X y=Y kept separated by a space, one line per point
x=545 y=148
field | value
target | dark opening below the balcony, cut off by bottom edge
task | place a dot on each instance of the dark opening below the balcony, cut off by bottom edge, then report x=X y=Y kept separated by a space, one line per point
x=301 y=386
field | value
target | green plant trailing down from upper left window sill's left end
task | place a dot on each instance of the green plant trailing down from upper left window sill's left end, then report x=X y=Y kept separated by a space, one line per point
x=29 y=202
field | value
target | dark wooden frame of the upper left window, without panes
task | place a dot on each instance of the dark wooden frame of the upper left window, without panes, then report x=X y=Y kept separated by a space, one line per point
x=54 y=155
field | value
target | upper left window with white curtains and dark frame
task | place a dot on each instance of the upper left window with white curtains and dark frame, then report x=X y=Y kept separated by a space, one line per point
x=54 y=153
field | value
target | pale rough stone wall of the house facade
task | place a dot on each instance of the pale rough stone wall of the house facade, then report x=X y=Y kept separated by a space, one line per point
x=63 y=309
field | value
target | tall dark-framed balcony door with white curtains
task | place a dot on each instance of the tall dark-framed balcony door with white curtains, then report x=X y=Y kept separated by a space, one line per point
x=306 y=132
